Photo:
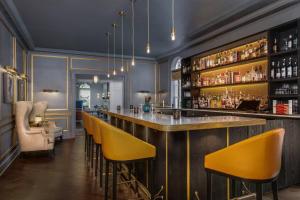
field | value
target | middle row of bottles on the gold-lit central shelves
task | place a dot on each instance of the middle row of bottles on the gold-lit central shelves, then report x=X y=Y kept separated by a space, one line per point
x=257 y=73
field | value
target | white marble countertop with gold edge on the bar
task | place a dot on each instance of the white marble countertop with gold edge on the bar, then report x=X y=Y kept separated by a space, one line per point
x=164 y=122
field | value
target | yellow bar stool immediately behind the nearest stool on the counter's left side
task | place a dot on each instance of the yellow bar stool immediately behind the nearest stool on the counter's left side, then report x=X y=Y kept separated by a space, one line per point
x=97 y=141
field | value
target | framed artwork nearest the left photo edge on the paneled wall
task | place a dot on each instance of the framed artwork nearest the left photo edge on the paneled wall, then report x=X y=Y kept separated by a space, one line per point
x=8 y=88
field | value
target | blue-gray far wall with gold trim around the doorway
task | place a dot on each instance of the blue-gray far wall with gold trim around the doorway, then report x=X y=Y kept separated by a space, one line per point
x=58 y=71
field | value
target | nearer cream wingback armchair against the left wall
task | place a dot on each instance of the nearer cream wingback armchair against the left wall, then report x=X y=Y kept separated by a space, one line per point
x=31 y=139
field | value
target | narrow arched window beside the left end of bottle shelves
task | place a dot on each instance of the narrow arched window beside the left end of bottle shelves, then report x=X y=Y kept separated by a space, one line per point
x=176 y=83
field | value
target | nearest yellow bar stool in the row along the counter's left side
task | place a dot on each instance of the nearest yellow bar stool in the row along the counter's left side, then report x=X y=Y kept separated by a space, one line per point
x=121 y=147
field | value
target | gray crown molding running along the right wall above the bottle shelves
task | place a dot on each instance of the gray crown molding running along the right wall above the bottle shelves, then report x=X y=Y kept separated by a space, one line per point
x=209 y=32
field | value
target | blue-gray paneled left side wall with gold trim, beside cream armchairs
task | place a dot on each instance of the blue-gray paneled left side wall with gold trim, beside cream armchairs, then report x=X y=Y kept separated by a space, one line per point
x=12 y=53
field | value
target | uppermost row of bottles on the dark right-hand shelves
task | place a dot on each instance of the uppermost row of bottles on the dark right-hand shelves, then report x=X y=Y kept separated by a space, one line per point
x=286 y=43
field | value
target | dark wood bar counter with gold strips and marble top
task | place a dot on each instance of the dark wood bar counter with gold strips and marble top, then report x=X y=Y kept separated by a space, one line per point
x=181 y=146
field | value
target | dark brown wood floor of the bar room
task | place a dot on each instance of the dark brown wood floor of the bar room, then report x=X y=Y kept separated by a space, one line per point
x=67 y=177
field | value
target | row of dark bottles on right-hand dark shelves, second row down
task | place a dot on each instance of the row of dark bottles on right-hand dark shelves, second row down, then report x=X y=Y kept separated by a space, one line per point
x=286 y=67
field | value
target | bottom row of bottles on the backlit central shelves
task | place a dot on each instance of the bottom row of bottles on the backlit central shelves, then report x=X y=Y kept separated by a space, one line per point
x=225 y=101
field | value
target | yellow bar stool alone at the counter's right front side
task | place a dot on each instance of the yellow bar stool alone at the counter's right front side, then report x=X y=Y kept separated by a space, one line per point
x=257 y=160
